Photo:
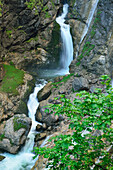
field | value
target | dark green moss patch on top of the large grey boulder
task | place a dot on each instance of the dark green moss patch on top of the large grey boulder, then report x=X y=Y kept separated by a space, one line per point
x=18 y=124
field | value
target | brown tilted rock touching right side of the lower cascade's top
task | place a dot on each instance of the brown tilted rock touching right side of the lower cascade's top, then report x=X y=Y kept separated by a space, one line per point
x=45 y=92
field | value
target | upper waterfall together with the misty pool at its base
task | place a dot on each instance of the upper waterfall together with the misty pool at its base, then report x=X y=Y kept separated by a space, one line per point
x=67 y=48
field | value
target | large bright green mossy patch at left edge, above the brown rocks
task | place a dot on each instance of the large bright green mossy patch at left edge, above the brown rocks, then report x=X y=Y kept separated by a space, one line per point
x=12 y=79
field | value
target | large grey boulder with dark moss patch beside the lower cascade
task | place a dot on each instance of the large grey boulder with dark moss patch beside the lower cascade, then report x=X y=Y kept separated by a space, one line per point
x=14 y=133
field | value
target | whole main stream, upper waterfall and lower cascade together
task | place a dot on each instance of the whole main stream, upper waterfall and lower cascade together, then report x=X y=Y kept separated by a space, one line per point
x=24 y=159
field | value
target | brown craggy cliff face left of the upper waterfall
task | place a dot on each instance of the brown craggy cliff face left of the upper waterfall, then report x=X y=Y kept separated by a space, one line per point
x=27 y=38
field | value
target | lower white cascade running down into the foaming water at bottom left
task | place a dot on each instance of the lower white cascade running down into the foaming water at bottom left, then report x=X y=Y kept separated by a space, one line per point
x=24 y=159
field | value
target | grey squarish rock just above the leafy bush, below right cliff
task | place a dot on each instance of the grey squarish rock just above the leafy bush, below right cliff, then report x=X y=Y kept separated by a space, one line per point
x=80 y=83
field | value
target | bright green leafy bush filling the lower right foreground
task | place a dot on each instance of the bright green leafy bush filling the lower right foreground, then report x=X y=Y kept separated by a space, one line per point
x=90 y=118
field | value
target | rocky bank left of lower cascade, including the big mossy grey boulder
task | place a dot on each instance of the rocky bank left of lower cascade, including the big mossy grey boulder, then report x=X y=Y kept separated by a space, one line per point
x=14 y=123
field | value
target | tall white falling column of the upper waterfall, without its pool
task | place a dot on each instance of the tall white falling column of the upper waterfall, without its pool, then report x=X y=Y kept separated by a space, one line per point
x=67 y=44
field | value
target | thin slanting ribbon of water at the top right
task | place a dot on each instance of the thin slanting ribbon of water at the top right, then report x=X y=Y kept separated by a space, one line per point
x=90 y=17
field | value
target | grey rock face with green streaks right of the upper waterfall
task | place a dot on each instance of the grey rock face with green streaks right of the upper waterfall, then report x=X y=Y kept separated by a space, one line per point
x=96 y=50
